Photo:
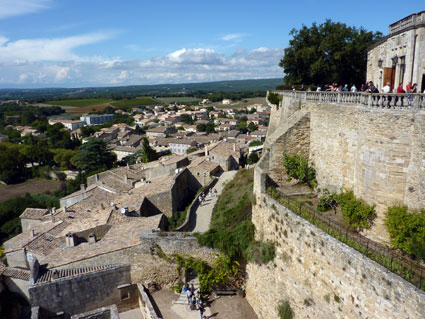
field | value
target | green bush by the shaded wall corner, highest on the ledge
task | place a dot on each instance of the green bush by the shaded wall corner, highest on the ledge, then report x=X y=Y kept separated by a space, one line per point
x=297 y=168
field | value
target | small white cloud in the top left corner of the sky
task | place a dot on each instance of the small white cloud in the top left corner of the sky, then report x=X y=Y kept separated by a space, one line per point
x=10 y=8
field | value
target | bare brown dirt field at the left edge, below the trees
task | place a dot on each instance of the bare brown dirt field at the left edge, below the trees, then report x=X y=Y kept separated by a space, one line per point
x=30 y=186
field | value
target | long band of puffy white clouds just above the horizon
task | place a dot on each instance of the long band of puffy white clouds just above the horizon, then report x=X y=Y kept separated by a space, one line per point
x=185 y=65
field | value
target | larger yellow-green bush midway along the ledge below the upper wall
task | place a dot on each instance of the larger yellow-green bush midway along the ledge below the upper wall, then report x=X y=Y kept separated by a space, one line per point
x=355 y=211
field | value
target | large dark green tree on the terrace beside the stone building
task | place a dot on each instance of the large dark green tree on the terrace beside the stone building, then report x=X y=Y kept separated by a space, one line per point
x=326 y=53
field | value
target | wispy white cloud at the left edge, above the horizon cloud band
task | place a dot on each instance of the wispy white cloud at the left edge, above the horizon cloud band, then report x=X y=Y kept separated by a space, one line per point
x=57 y=49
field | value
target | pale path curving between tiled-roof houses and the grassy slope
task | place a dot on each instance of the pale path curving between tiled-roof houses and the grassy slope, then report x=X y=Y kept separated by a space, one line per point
x=202 y=216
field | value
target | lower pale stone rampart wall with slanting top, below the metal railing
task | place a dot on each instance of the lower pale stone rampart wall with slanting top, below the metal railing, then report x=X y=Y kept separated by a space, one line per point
x=320 y=276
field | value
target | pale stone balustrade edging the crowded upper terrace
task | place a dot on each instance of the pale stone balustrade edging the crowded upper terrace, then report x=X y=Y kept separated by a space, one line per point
x=375 y=100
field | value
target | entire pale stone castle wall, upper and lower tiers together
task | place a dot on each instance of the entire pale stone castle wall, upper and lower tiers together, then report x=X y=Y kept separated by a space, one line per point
x=379 y=153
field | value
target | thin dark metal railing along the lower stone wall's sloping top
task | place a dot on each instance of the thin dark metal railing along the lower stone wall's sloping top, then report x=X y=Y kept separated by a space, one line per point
x=396 y=262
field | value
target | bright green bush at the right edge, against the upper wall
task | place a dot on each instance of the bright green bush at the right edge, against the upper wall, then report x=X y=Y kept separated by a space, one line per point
x=407 y=229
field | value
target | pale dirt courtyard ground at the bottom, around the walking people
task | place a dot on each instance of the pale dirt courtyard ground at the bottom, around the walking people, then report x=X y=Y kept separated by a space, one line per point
x=222 y=308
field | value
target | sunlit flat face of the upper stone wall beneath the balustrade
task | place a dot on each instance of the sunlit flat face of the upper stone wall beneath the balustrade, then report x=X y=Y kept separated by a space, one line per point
x=376 y=152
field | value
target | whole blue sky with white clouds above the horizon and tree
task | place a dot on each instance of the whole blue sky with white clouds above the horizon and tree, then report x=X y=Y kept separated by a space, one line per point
x=73 y=43
